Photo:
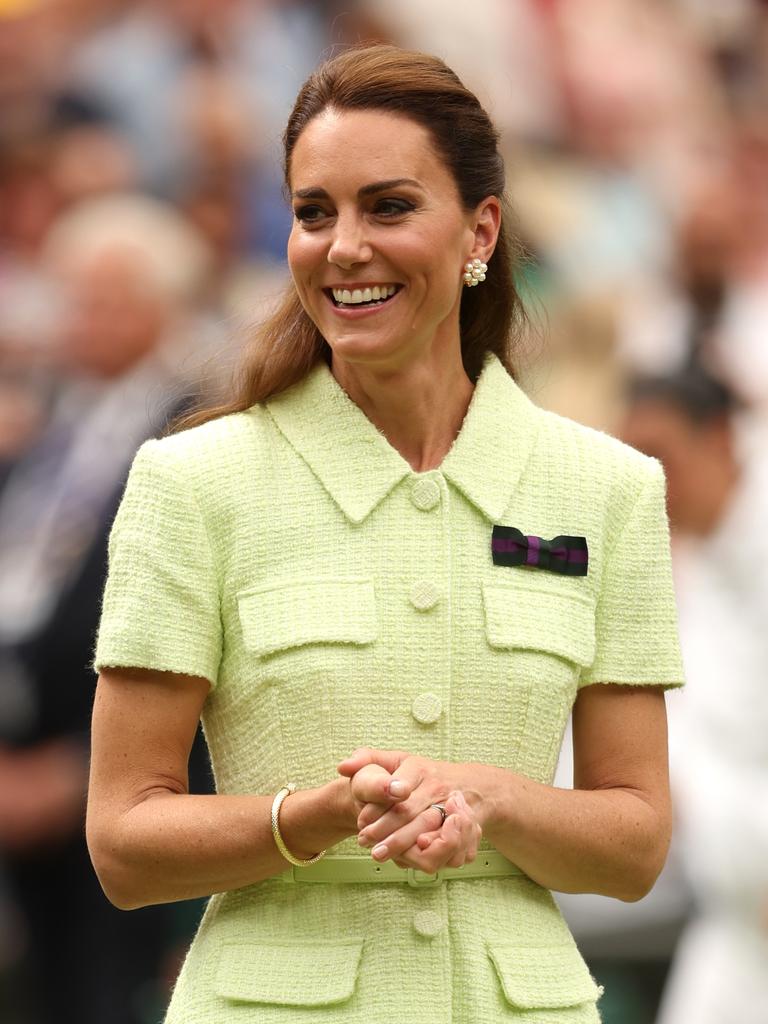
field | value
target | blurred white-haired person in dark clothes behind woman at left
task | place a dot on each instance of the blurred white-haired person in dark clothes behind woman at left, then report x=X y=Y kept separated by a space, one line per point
x=131 y=271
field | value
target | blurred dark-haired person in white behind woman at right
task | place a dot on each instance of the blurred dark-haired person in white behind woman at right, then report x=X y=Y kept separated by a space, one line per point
x=718 y=505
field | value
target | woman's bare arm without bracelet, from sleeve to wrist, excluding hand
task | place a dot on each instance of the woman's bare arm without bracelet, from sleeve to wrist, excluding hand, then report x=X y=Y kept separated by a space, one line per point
x=611 y=834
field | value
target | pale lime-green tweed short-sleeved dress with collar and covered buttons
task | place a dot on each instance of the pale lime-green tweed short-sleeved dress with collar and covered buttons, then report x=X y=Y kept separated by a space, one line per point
x=286 y=554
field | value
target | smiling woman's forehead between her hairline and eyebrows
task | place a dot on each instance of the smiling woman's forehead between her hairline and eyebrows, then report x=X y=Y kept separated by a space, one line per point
x=340 y=150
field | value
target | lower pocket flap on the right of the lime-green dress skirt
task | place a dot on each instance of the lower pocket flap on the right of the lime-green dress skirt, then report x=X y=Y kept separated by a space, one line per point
x=543 y=978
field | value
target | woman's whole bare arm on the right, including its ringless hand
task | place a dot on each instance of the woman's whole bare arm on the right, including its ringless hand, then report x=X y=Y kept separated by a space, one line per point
x=610 y=835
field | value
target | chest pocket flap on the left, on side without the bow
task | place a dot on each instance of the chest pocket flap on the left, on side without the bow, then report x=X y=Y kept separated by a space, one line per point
x=294 y=613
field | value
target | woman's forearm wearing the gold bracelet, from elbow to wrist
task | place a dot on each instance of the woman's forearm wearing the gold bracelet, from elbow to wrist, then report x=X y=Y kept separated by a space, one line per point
x=177 y=846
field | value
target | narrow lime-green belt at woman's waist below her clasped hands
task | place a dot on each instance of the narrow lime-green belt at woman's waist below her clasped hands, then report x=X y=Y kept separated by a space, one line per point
x=488 y=865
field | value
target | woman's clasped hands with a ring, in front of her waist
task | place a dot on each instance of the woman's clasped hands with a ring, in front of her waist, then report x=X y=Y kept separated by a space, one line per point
x=393 y=792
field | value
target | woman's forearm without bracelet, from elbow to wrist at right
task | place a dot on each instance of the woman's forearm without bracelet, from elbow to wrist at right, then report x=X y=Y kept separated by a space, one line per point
x=612 y=842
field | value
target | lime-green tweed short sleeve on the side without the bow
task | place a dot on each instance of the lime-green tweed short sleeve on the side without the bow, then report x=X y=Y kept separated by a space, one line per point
x=161 y=602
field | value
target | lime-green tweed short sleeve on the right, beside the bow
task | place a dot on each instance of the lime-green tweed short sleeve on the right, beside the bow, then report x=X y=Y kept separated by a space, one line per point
x=636 y=627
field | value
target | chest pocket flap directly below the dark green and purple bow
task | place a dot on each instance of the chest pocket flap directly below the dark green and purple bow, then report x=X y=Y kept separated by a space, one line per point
x=540 y=618
